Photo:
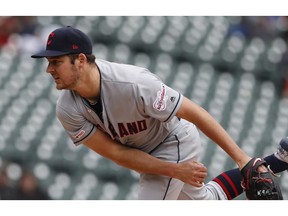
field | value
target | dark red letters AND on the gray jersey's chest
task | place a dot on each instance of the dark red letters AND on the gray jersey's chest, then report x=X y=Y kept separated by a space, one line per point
x=131 y=128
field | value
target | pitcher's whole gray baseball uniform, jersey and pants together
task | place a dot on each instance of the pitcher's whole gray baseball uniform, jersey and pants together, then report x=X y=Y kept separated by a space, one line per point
x=138 y=110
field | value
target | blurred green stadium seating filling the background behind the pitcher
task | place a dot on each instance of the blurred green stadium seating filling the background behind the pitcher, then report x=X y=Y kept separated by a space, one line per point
x=235 y=67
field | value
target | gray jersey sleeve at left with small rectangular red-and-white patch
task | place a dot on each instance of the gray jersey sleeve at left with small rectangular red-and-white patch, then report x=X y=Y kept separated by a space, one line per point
x=76 y=126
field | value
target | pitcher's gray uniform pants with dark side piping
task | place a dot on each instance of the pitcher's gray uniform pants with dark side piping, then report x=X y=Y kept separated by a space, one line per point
x=182 y=144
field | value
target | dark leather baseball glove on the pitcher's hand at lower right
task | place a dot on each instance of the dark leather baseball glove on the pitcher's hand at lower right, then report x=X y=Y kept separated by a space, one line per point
x=260 y=186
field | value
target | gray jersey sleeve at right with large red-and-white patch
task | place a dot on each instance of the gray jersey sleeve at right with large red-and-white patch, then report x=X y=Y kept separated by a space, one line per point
x=157 y=99
